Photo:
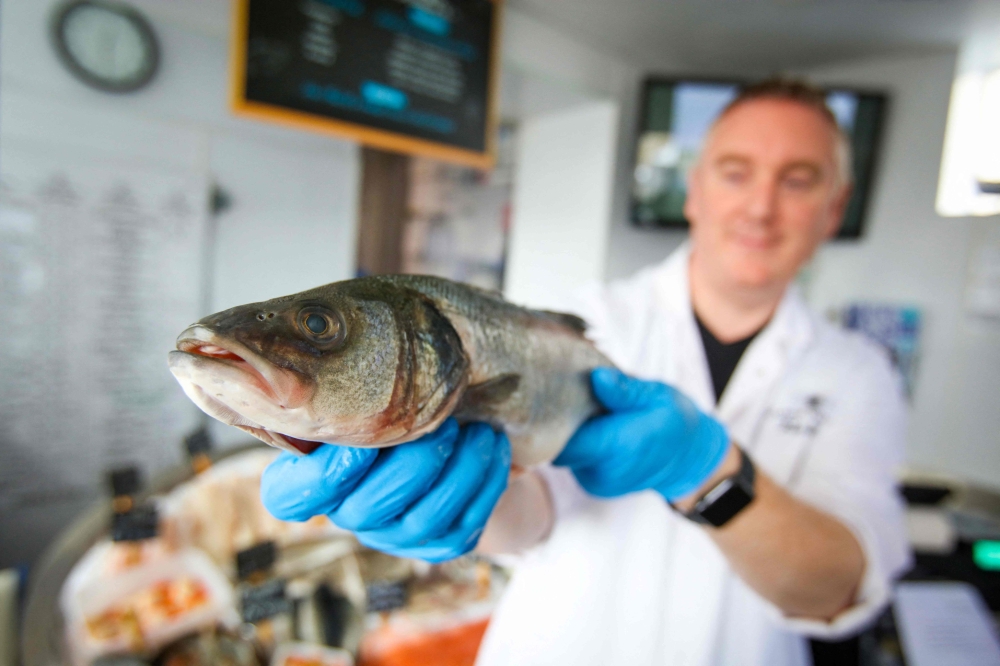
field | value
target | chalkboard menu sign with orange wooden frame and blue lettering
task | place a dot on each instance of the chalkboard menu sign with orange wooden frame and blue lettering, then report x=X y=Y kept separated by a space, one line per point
x=413 y=76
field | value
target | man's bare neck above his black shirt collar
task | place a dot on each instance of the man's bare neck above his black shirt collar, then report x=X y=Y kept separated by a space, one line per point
x=730 y=313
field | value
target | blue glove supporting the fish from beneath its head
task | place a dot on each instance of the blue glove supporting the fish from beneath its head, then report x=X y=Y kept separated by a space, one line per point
x=428 y=499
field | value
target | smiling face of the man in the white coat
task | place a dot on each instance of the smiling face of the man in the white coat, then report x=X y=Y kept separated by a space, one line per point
x=765 y=193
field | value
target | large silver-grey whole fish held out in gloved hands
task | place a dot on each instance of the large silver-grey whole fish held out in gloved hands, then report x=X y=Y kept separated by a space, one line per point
x=381 y=360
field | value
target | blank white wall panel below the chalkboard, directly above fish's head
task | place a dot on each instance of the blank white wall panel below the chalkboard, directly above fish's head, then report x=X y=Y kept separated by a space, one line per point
x=293 y=220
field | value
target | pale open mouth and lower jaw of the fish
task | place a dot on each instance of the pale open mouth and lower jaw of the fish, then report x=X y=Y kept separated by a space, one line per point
x=229 y=381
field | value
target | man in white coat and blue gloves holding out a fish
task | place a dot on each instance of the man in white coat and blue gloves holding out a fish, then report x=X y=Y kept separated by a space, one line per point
x=737 y=499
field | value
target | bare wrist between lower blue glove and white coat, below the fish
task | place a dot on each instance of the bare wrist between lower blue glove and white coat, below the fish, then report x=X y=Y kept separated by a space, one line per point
x=522 y=518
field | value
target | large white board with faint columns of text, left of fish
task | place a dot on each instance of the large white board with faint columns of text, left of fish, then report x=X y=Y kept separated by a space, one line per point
x=99 y=268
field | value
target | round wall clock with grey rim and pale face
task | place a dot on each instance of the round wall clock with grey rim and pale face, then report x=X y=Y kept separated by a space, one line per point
x=108 y=46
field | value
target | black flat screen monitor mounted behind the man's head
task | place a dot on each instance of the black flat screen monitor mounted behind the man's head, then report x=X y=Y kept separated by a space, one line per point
x=675 y=117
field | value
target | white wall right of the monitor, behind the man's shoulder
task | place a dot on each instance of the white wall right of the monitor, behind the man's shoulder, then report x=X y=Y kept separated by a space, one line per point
x=910 y=255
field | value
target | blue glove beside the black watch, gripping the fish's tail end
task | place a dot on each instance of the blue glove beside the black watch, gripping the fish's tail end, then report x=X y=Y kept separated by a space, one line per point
x=653 y=438
